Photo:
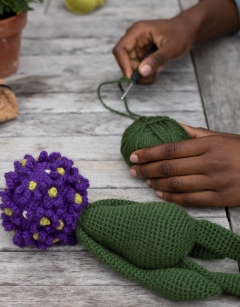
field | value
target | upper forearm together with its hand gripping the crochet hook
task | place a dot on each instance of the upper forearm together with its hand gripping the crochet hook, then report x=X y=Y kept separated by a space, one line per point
x=174 y=37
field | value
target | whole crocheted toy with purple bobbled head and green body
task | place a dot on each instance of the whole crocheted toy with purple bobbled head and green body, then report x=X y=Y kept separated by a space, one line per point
x=46 y=203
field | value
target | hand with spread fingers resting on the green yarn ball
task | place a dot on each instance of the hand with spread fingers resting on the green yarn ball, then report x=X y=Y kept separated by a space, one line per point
x=202 y=171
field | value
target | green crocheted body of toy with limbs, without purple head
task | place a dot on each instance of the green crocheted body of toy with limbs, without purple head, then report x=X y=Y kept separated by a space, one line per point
x=150 y=244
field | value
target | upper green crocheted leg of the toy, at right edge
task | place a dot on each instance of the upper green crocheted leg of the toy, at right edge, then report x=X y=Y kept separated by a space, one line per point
x=217 y=239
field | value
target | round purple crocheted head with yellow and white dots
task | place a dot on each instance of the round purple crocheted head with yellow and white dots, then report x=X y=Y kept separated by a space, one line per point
x=43 y=201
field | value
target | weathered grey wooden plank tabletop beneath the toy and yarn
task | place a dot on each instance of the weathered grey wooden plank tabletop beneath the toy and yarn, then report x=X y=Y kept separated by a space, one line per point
x=64 y=57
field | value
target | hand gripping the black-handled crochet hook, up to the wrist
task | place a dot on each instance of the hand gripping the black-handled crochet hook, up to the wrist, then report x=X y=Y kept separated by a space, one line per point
x=173 y=38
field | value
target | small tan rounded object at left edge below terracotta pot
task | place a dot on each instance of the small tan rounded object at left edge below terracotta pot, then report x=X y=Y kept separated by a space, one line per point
x=8 y=104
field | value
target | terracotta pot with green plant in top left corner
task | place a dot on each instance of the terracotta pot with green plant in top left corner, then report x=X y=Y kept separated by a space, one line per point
x=13 y=17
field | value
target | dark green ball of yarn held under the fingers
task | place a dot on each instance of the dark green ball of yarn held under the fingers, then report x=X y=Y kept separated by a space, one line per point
x=147 y=132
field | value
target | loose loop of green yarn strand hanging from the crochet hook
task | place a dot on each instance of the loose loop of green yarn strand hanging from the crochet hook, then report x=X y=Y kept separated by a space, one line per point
x=119 y=83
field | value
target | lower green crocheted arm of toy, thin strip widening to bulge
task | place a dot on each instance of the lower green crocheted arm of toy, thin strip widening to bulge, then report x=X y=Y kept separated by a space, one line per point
x=174 y=283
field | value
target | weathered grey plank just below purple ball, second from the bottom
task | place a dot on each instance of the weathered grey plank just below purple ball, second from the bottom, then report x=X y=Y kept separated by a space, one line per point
x=76 y=268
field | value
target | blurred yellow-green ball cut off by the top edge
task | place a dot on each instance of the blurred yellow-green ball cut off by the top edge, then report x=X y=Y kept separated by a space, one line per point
x=83 y=6
